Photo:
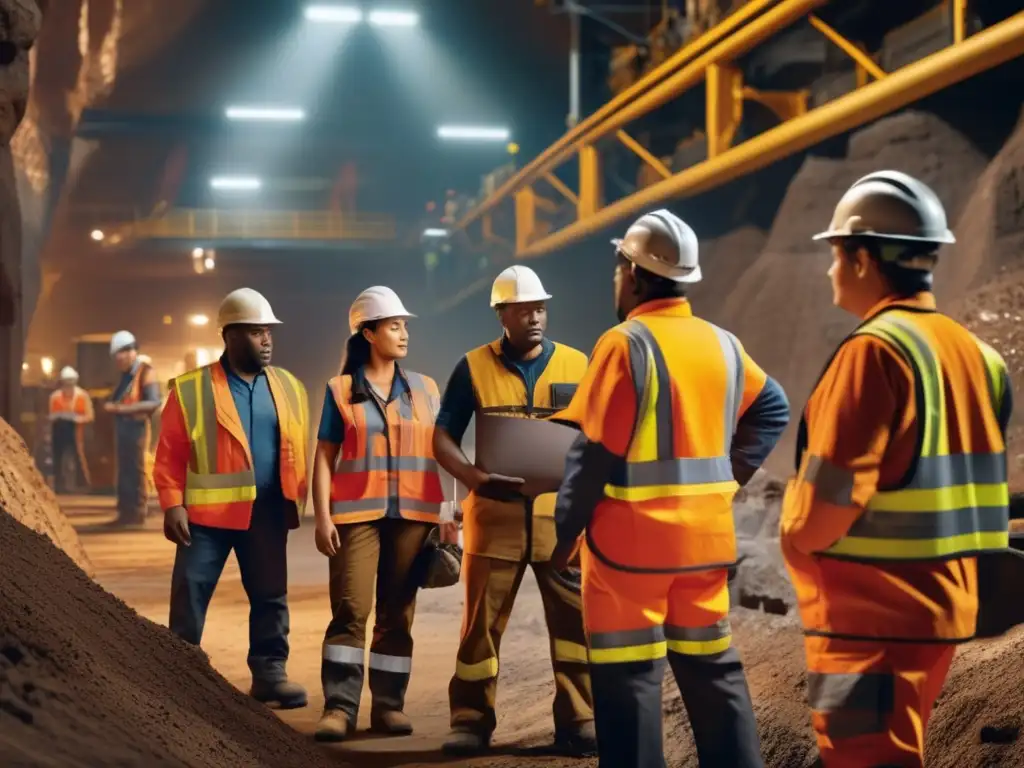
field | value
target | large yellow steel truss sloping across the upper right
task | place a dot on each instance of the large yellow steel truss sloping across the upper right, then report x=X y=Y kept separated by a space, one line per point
x=710 y=59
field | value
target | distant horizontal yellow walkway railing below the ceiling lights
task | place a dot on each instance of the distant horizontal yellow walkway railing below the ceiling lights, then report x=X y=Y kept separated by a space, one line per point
x=204 y=226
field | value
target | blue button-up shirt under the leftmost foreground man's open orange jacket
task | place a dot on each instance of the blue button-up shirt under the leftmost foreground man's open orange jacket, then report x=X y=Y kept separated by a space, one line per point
x=259 y=415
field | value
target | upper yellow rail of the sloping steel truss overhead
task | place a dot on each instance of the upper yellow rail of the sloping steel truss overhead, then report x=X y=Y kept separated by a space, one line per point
x=561 y=150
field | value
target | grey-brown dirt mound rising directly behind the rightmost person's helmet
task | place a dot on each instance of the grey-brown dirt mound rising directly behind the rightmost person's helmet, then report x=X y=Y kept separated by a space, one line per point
x=793 y=339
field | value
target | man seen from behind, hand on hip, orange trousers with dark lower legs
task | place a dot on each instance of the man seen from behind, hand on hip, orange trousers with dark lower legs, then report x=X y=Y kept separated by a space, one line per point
x=674 y=418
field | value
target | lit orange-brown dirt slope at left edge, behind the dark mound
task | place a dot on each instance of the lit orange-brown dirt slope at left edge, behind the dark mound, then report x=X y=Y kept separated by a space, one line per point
x=25 y=495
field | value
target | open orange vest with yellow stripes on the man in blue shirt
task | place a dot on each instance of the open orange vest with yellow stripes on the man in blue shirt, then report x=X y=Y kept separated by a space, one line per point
x=221 y=485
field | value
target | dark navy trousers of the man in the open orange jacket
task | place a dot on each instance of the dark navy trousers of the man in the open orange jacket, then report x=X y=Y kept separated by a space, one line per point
x=263 y=557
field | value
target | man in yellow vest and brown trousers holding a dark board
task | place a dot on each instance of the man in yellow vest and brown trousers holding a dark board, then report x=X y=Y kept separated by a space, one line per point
x=523 y=375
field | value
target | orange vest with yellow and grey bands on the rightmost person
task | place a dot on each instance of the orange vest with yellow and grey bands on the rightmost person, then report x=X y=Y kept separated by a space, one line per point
x=907 y=570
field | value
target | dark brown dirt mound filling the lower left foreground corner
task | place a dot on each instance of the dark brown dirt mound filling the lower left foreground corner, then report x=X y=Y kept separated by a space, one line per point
x=84 y=681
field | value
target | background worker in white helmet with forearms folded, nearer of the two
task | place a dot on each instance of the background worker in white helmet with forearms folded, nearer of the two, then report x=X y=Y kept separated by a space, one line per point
x=134 y=403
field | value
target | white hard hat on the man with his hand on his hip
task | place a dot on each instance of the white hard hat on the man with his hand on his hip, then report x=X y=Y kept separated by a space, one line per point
x=663 y=244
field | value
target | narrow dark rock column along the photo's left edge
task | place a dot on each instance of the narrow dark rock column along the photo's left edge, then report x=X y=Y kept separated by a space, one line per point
x=20 y=23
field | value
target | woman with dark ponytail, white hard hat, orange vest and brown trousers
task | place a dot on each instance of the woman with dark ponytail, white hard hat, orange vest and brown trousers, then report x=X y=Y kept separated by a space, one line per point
x=375 y=508
